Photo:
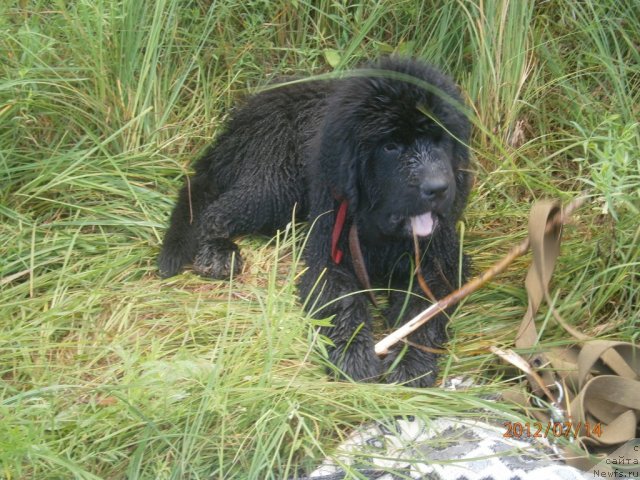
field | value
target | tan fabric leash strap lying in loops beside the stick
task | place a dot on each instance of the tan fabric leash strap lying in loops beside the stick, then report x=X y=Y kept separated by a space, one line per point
x=600 y=378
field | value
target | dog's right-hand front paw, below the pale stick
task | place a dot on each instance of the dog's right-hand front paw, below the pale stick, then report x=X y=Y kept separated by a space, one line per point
x=415 y=369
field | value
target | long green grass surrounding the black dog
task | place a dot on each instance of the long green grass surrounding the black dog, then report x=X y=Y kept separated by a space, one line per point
x=107 y=371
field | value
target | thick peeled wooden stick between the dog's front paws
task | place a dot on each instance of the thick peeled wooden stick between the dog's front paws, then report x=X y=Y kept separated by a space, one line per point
x=382 y=347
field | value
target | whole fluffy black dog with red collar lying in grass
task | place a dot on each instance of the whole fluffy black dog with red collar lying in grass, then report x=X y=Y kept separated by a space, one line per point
x=384 y=148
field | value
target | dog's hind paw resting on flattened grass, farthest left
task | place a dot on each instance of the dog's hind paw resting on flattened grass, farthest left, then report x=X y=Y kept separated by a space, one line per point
x=218 y=259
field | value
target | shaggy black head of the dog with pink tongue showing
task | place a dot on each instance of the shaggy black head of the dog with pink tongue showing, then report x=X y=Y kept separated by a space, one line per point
x=394 y=144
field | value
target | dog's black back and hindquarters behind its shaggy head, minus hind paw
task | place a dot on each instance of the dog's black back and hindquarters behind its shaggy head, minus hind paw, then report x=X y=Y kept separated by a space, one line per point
x=260 y=154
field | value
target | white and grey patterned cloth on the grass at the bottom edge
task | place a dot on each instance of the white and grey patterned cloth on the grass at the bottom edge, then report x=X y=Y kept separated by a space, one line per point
x=441 y=449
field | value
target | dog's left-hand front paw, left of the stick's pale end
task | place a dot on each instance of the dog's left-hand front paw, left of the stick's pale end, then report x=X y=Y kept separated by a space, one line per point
x=357 y=361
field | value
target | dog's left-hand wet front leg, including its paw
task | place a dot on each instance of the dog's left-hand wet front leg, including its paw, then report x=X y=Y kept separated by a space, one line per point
x=330 y=293
